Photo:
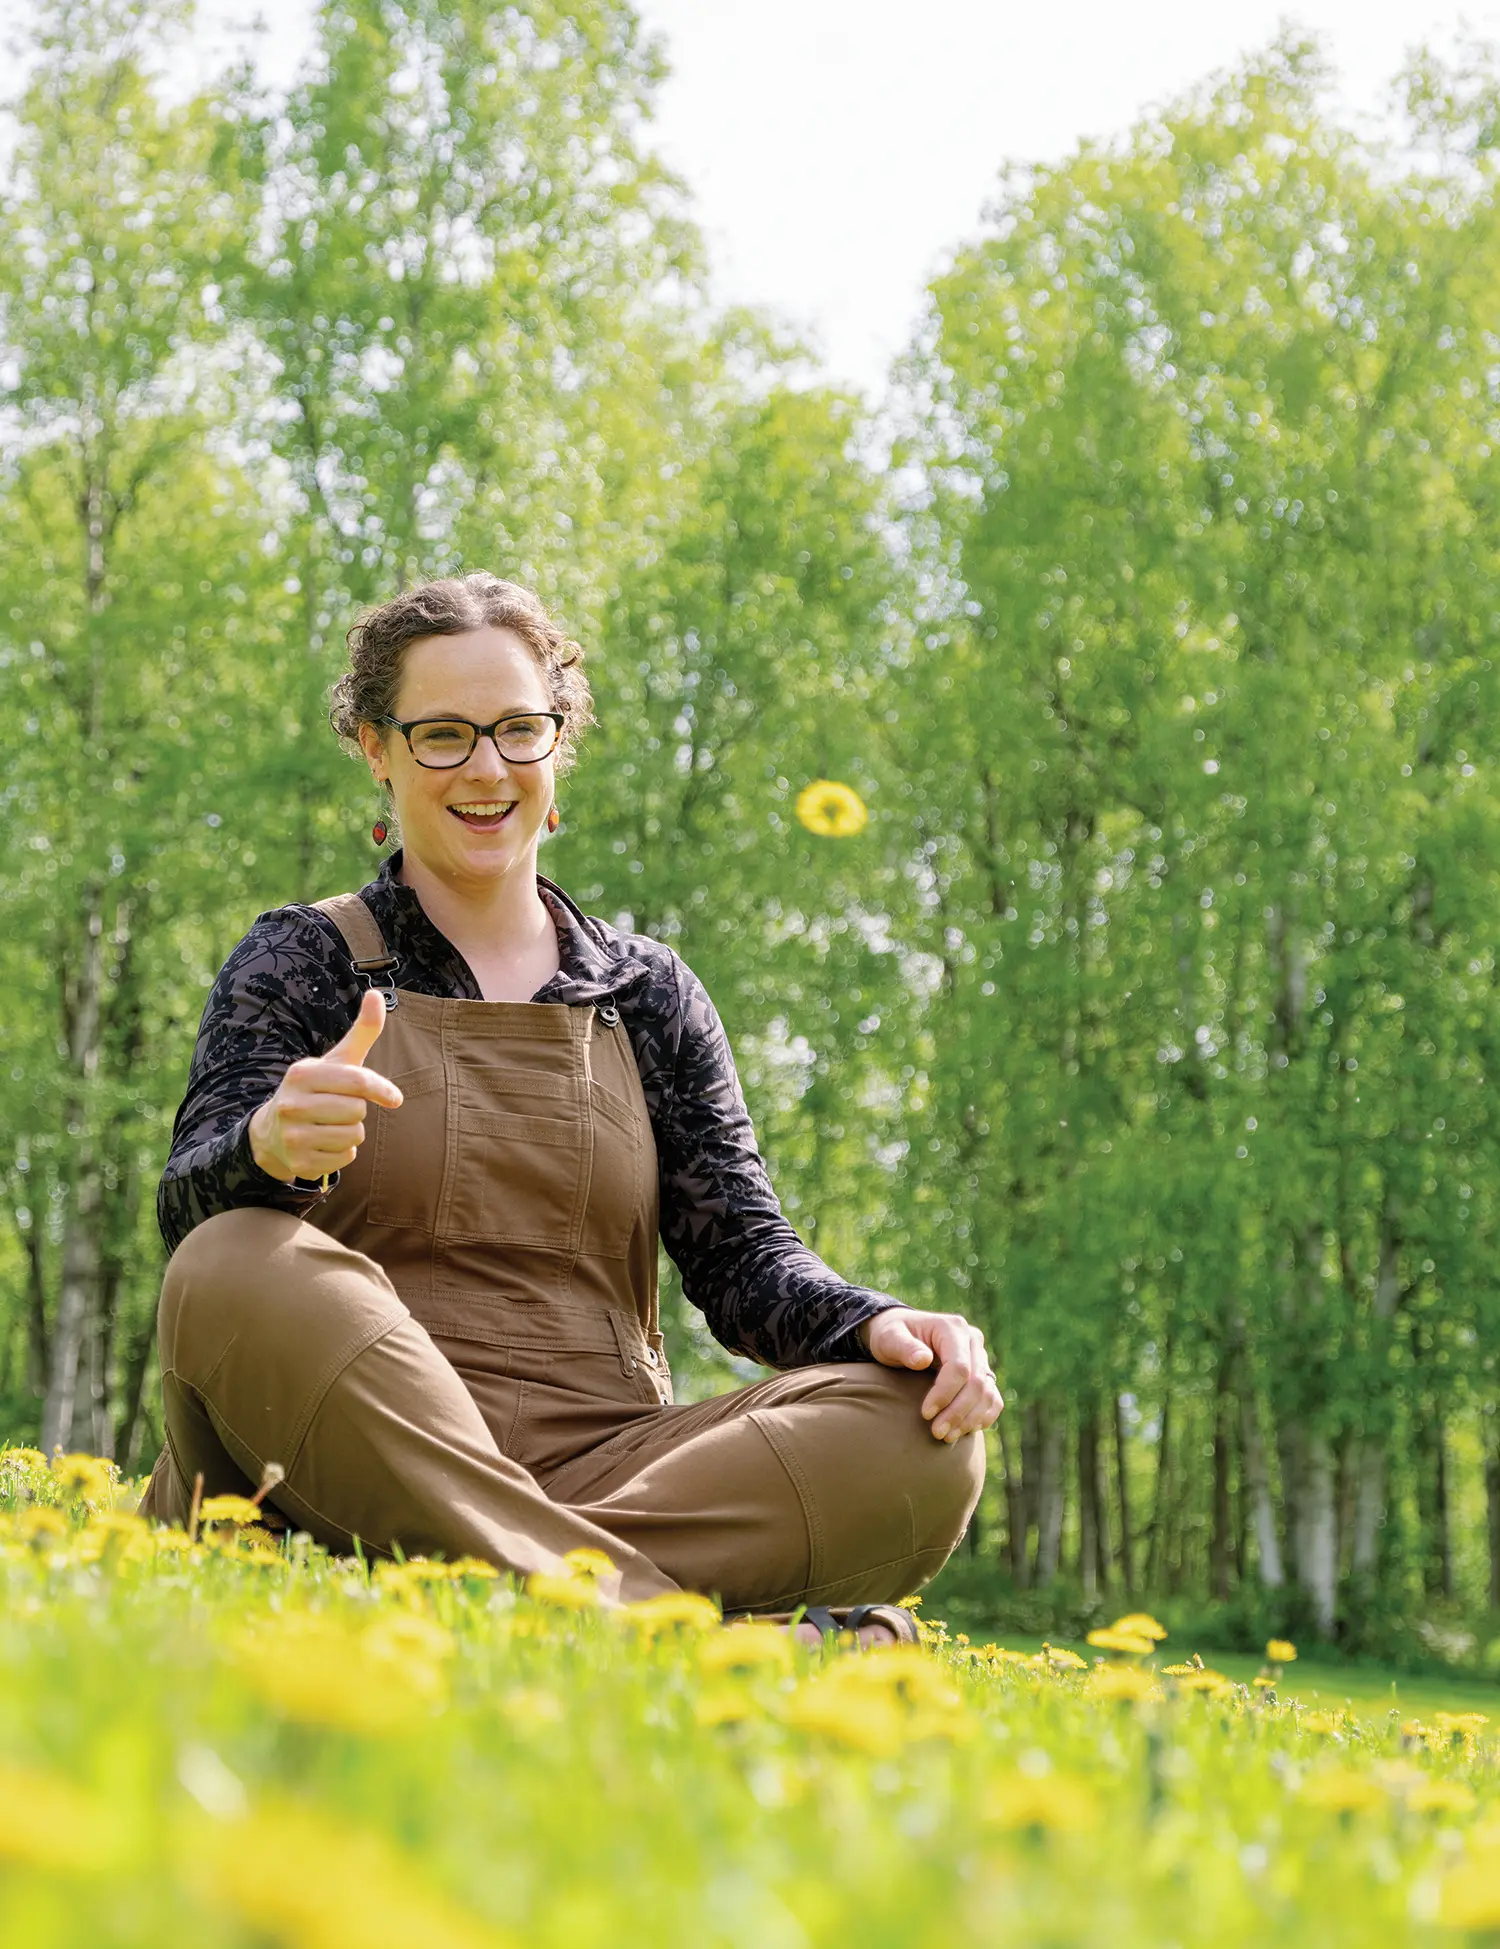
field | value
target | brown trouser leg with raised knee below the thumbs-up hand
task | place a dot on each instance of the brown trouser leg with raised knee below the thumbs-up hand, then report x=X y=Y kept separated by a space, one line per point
x=281 y=1346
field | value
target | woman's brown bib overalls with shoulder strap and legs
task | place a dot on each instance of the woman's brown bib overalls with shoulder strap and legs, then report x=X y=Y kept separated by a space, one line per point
x=463 y=1356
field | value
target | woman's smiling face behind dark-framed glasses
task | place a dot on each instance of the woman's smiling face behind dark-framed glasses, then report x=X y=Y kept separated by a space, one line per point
x=482 y=820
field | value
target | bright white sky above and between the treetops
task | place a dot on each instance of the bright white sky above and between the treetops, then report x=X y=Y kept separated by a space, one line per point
x=839 y=149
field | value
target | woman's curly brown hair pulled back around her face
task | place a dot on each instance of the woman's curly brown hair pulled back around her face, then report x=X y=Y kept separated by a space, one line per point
x=449 y=607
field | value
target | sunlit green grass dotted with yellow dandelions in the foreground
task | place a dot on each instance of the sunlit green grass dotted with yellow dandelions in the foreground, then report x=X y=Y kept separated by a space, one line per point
x=235 y=1743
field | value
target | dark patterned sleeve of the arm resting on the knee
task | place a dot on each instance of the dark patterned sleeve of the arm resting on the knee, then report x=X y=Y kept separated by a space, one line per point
x=761 y=1289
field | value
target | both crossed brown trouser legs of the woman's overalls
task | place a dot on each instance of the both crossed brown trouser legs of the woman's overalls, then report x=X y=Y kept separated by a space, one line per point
x=283 y=1346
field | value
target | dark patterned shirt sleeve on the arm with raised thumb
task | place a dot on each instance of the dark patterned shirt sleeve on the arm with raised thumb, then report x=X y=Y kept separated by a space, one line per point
x=285 y=993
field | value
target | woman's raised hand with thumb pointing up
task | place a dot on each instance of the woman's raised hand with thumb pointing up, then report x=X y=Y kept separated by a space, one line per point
x=315 y=1124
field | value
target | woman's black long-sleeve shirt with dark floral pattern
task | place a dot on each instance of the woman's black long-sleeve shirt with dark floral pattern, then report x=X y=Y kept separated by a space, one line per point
x=289 y=991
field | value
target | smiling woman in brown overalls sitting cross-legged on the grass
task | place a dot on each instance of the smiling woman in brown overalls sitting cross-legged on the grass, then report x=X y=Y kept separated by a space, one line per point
x=430 y=1141
